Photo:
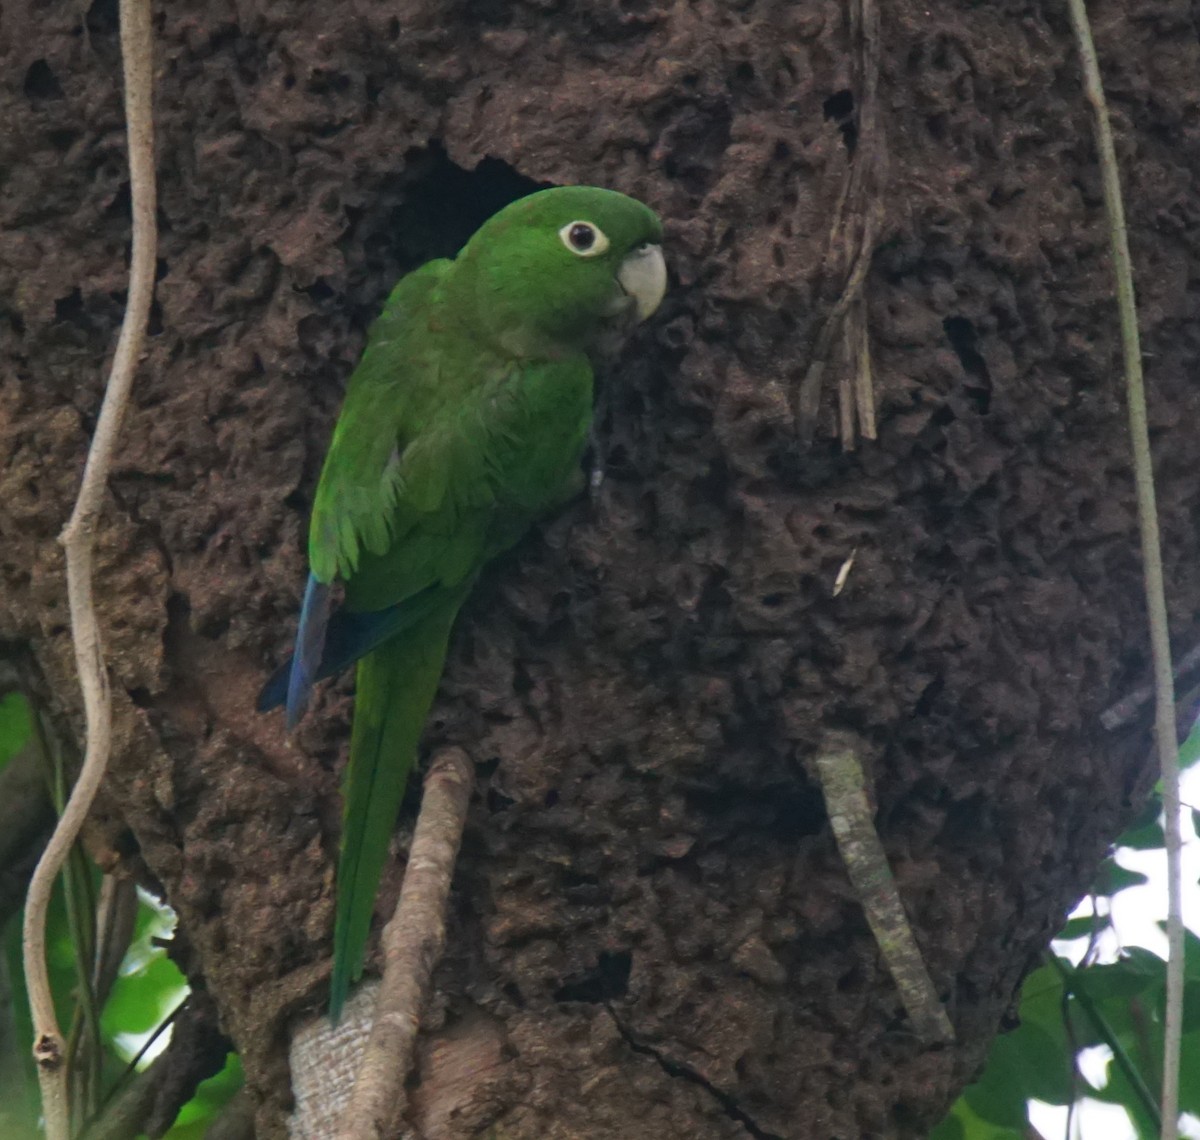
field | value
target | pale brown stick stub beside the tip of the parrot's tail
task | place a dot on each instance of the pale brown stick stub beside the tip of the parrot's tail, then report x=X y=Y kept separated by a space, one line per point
x=412 y=946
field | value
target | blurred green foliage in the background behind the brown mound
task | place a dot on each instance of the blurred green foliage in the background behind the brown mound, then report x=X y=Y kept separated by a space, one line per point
x=1089 y=999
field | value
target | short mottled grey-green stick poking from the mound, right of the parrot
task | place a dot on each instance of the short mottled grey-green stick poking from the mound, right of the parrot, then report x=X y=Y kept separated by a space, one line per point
x=844 y=785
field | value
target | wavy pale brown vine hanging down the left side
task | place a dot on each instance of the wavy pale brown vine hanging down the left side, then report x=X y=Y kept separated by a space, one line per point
x=79 y=539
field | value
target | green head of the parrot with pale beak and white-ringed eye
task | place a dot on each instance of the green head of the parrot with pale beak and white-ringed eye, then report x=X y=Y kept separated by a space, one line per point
x=569 y=268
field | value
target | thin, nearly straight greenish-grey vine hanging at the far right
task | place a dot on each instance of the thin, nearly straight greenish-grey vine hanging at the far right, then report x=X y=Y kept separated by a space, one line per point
x=1153 y=567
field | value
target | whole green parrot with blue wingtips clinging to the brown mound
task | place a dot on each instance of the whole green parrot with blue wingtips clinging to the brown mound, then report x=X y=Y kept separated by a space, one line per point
x=465 y=422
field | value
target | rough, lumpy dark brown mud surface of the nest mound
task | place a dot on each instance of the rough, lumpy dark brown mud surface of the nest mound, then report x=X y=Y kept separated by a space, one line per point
x=651 y=916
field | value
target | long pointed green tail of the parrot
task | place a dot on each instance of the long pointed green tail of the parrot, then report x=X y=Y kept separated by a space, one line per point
x=397 y=686
